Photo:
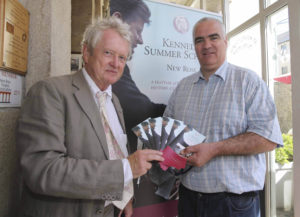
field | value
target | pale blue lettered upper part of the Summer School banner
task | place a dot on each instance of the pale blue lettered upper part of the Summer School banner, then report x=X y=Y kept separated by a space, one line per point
x=167 y=54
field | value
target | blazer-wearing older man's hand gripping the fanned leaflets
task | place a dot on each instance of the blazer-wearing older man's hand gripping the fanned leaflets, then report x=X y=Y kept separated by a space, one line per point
x=140 y=161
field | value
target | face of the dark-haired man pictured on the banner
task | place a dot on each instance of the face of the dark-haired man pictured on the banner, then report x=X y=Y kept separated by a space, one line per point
x=136 y=28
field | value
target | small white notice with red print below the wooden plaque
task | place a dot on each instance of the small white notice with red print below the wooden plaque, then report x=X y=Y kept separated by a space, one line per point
x=10 y=89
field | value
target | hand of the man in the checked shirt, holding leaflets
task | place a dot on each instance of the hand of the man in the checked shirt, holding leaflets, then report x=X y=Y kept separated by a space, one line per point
x=199 y=155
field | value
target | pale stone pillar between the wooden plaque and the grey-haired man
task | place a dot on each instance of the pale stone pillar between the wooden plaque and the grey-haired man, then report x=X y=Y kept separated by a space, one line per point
x=49 y=51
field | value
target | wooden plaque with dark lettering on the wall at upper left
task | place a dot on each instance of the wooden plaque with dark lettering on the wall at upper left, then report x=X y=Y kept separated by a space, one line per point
x=14 y=29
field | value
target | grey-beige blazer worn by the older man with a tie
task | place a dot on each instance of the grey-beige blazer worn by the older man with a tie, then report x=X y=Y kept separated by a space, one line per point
x=63 y=151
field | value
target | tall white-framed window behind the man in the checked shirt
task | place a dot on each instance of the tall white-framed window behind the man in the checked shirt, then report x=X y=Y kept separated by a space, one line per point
x=267 y=52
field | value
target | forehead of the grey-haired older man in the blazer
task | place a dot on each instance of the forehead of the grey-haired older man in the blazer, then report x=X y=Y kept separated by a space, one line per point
x=112 y=40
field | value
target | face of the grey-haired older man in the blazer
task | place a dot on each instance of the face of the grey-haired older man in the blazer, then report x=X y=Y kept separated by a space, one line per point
x=105 y=65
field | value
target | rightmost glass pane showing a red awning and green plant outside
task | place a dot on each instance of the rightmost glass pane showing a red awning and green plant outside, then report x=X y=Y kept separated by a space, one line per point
x=279 y=72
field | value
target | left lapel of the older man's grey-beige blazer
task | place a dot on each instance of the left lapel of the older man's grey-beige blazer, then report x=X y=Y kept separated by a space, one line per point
x=86 y=101
